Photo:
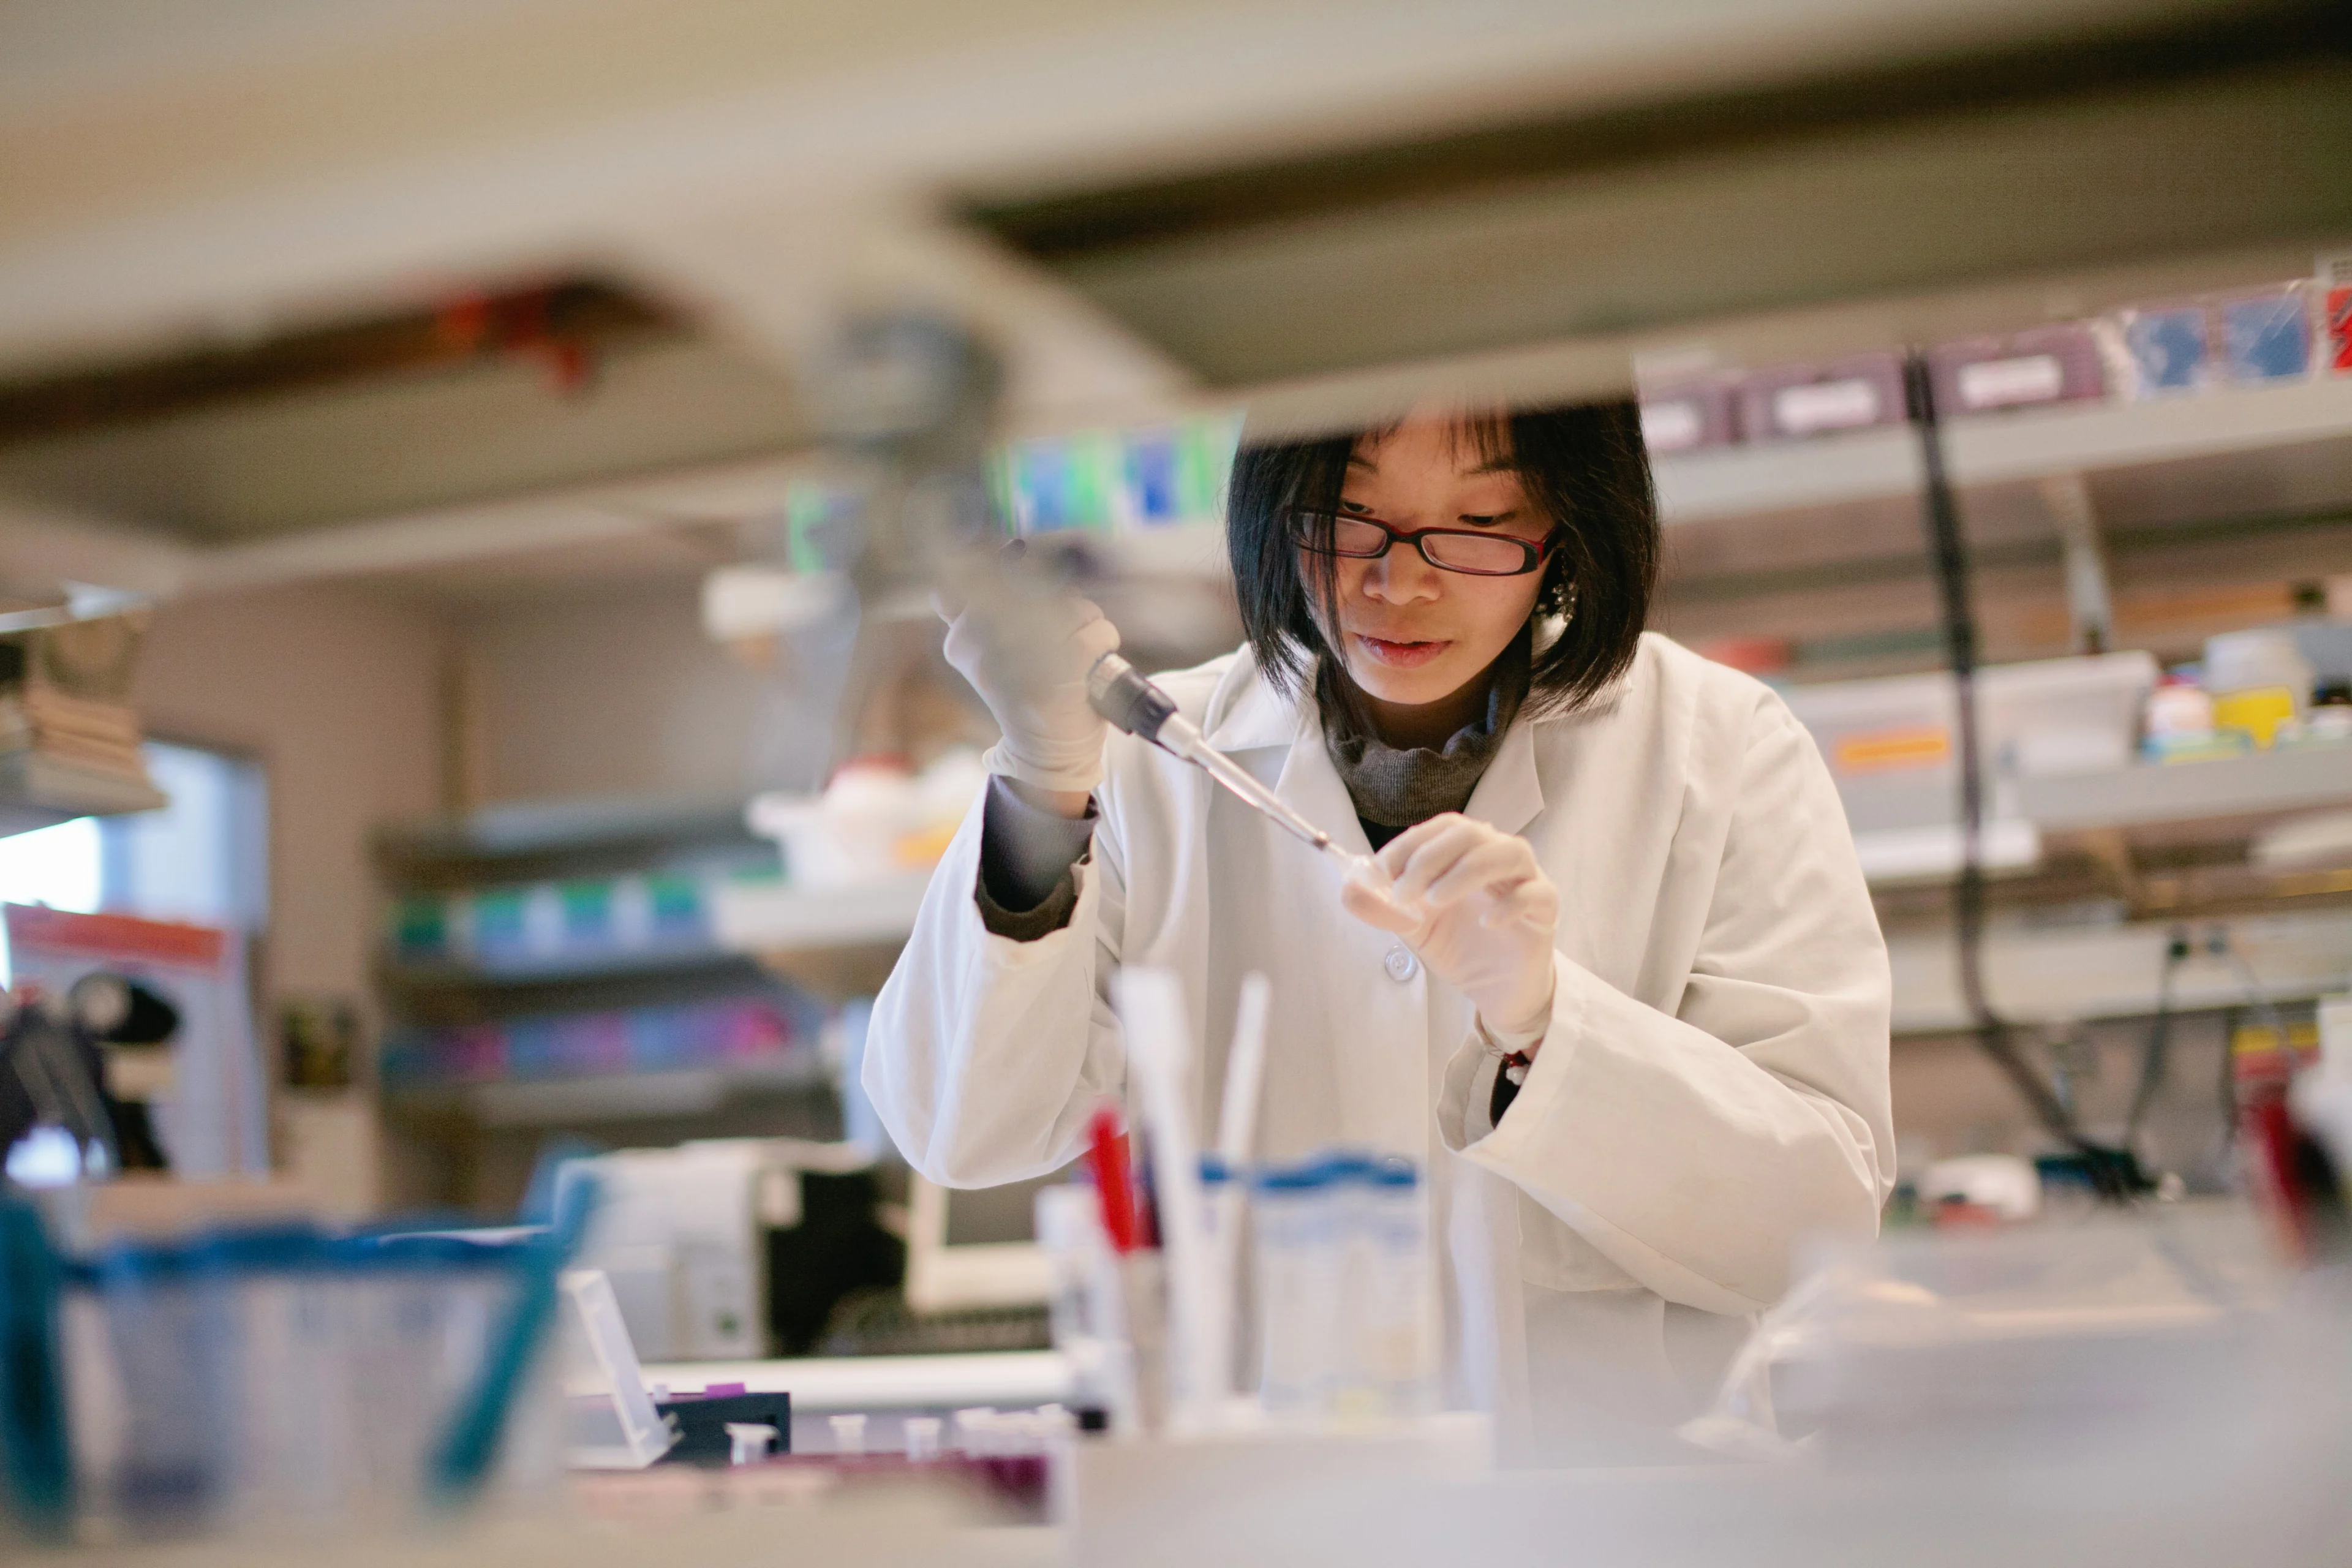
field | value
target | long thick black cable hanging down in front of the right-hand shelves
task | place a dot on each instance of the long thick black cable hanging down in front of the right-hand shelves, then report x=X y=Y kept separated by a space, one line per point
x=2113 y=1172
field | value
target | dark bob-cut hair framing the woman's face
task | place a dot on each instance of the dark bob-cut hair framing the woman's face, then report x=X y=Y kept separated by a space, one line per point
x=1584 y=467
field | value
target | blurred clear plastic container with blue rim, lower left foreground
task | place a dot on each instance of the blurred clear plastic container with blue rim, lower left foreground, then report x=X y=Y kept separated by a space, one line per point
x=283 y=1381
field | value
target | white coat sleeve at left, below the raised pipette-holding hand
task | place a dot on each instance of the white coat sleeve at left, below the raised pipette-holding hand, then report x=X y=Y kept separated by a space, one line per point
x=987 y=1054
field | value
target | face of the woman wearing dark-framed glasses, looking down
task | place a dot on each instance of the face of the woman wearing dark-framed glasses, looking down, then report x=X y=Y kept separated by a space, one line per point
x=1408 y=631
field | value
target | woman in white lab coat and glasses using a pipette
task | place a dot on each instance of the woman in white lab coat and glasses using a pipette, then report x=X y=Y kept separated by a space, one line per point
x=1636 y=1021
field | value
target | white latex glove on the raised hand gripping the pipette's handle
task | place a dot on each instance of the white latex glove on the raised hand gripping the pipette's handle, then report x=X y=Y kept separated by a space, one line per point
x=1036 y=688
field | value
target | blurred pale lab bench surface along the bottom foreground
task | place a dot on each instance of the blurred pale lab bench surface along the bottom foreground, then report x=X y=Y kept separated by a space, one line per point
x=1337 y=1501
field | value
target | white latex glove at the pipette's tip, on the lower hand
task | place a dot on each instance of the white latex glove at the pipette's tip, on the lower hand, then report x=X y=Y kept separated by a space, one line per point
x=1476 y=906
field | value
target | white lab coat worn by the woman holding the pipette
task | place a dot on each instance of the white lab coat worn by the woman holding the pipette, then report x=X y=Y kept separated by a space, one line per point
x=1711 y=1090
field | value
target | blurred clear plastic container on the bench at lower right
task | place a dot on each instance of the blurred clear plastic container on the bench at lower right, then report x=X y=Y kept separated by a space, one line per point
x=2118 y=1339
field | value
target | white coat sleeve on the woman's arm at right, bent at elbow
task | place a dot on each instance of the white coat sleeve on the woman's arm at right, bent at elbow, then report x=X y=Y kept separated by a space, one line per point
x=1697 y=1151
